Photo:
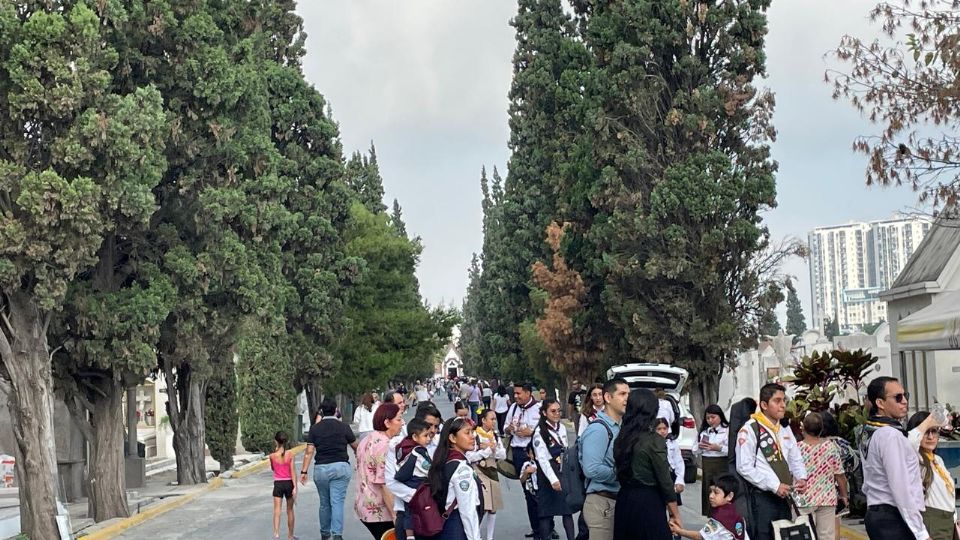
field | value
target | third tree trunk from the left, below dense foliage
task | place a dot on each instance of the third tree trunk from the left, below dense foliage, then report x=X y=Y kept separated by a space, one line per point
x=188 y=428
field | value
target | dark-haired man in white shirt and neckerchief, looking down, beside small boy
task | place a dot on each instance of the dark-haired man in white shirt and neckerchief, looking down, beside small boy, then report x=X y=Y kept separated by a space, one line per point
x=770 y=461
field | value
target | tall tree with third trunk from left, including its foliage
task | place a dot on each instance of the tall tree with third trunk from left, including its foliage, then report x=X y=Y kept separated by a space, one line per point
x=222 y=215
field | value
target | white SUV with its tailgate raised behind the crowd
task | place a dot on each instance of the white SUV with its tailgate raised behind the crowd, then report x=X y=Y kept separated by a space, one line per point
x=671 y=379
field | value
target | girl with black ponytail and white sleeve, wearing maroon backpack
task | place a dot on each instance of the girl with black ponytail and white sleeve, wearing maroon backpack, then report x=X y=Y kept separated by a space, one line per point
x=452 y=480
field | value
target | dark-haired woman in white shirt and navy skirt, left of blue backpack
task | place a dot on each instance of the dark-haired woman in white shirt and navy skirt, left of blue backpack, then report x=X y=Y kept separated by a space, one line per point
x=549 y=443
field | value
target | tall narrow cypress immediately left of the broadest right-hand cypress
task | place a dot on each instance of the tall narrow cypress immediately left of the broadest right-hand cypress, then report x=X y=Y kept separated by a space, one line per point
x=545 y=91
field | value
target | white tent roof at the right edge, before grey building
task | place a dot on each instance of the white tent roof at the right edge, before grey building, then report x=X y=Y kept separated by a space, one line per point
x=933 y=328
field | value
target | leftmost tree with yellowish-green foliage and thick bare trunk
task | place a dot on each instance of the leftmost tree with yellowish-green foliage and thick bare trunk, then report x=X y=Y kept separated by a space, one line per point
x=78 y=160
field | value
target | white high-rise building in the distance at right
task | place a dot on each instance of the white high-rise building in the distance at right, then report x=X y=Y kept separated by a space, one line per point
x=851 y=264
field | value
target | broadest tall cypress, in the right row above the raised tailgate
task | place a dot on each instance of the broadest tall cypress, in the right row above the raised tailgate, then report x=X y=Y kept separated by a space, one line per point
x=679 y=139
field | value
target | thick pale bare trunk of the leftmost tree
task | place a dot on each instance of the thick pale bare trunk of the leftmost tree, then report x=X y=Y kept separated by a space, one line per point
x=24 y=352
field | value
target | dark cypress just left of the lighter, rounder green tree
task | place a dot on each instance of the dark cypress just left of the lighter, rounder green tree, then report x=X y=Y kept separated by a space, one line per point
x=316 y=268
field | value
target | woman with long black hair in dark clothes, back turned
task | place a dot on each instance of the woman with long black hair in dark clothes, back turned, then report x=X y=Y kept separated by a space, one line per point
x=646 y=490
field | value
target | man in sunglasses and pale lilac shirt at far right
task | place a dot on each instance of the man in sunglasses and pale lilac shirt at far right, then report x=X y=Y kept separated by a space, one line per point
x=891 y=471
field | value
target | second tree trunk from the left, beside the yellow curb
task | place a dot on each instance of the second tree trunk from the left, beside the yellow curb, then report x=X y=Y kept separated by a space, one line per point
x=106 y=487
